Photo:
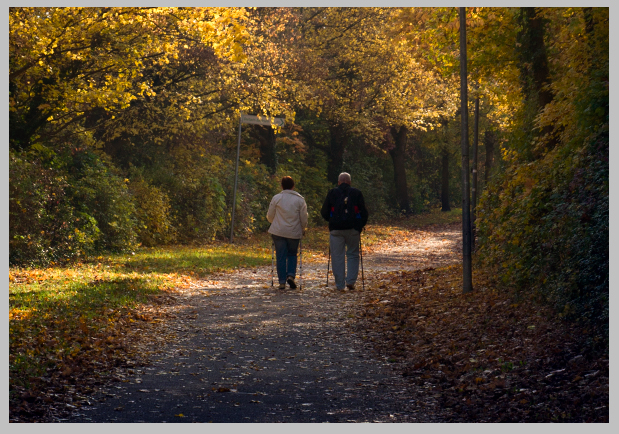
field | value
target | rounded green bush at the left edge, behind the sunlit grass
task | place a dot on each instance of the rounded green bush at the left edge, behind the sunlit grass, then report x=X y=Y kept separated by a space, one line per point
x=66 y=205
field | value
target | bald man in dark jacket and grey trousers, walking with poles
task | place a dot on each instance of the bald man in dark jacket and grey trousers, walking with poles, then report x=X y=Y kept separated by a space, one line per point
x=344 y=209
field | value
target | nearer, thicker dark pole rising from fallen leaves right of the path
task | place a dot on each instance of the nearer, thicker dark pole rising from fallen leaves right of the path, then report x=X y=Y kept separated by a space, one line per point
x=467 y=277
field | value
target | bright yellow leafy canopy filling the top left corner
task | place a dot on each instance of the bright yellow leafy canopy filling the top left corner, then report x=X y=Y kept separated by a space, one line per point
x=66 y=63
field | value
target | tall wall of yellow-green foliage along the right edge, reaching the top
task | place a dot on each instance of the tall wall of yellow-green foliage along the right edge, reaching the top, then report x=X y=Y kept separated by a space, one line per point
x=544 y=221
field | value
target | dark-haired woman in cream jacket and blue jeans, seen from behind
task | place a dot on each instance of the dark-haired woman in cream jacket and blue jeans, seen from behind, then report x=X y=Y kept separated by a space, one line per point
x=288 y=217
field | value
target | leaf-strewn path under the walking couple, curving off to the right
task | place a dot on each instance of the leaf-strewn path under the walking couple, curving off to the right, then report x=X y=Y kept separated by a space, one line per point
x=238 y=350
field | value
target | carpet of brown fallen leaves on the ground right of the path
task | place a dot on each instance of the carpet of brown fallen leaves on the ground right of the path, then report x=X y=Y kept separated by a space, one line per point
x=486 y=356
